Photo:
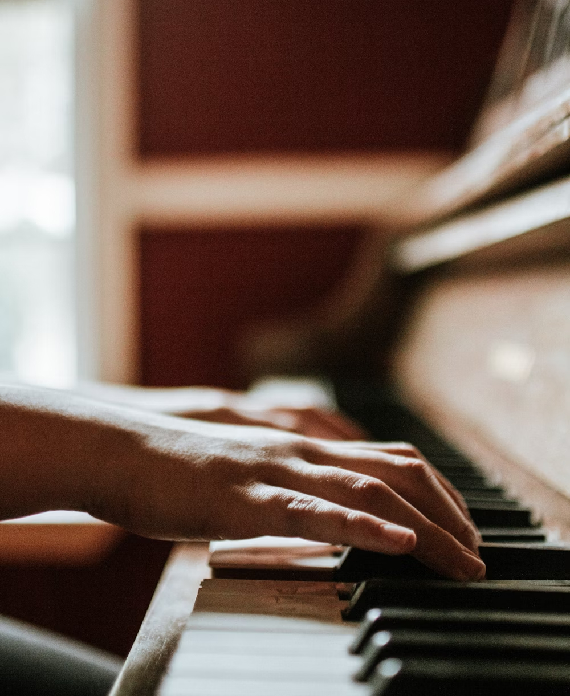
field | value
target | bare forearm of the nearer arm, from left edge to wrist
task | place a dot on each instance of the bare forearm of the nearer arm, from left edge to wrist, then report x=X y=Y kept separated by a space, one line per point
x=57 y=451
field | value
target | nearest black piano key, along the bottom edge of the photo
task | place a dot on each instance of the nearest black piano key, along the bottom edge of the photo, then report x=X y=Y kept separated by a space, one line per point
x=432 y=677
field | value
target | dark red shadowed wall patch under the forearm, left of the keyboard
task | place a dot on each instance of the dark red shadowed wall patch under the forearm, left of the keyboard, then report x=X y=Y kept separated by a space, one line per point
x=102 y=604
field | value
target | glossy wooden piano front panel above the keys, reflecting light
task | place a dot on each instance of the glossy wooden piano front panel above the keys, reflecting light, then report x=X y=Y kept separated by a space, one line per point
x=485 y=358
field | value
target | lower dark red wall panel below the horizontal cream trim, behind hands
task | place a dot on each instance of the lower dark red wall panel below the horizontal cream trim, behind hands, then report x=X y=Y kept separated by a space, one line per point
x=200 y=289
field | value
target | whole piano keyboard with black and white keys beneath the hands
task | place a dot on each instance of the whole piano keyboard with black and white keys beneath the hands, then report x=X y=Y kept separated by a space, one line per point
x=378 y=625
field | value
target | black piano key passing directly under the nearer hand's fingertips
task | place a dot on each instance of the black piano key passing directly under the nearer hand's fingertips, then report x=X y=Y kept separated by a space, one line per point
x=510 y=561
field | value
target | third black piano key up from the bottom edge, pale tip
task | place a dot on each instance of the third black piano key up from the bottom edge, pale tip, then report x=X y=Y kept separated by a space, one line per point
x=465 y=620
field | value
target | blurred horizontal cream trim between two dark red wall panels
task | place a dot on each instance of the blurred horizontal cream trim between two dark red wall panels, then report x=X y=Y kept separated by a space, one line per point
x=277 y=189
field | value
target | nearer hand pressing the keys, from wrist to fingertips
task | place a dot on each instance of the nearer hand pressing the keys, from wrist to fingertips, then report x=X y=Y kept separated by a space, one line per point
x=191 y=480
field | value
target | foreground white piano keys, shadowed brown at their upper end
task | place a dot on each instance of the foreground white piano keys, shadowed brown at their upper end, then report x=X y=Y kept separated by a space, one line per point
x=264 y=638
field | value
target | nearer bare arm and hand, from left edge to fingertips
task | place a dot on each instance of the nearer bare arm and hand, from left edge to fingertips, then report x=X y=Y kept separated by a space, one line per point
x=177 y=478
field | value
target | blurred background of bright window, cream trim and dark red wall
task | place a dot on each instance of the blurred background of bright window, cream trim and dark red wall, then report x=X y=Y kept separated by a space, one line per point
x=175 y=172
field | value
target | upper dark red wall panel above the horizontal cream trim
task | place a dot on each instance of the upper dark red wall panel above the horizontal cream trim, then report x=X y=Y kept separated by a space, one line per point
x=221 y=76
